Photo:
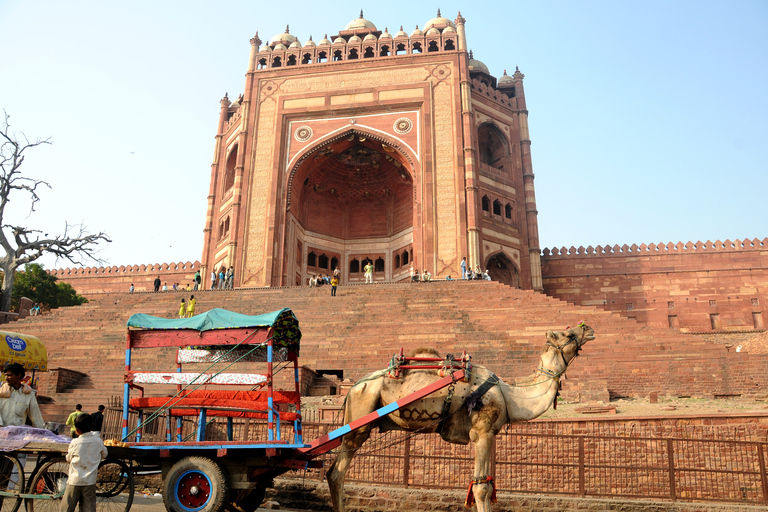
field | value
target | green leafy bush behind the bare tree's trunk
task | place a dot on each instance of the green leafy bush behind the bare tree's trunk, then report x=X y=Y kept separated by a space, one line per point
x=41 y=287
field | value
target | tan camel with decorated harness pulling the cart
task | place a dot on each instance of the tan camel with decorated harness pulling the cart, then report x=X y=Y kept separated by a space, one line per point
x=500 y=404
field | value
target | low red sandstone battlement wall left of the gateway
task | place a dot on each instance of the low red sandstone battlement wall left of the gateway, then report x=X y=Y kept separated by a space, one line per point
x=89 y=280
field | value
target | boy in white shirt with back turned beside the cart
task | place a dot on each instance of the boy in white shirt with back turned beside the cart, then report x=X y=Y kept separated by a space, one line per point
x=84 y=455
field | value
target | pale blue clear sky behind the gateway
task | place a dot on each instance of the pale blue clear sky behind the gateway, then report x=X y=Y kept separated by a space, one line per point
x=648 y=120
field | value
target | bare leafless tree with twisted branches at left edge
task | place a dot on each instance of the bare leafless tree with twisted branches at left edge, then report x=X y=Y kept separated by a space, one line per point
x=74 y=245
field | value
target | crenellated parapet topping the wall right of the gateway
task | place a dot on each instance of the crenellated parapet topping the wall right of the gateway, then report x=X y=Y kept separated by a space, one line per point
x=656 y=249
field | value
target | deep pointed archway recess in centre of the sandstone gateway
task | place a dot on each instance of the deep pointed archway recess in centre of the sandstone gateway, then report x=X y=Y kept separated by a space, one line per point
x=349 y=200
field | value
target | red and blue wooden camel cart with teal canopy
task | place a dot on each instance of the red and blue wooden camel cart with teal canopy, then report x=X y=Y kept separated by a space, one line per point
x=200 y=475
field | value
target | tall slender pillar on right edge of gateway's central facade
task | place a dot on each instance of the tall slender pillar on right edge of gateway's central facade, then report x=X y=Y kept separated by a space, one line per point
x=470 y=151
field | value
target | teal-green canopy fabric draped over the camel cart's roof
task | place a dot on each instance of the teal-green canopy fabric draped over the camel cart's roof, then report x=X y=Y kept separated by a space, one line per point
x=285 y=325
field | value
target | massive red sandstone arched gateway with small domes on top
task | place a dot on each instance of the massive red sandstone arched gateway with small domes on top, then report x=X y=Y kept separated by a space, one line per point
x=399 y=150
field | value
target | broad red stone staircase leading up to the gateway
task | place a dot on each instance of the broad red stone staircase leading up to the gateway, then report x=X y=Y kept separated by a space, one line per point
x=360 y=329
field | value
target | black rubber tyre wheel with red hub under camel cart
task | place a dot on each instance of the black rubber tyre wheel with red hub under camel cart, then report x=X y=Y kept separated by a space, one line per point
x=195 y=484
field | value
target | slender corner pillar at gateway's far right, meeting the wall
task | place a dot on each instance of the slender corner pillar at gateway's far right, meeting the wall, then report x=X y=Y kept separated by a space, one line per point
x=531 y=213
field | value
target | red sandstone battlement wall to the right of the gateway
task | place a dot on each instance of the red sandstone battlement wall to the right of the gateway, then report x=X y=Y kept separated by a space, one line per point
x=697 y=287
